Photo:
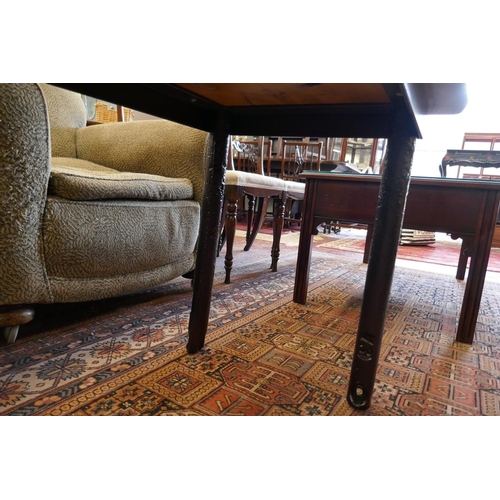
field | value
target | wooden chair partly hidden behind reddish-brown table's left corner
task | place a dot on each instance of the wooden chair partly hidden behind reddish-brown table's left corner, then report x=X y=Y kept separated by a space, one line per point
x=297 y=156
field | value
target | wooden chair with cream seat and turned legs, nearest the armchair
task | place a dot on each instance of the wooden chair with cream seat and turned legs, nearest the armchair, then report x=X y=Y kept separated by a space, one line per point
x=245 y=177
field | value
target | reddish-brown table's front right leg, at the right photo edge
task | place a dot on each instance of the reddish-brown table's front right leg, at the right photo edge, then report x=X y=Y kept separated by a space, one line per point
x=477 y=270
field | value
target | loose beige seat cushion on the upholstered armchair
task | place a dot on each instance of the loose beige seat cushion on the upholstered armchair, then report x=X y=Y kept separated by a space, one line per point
x=80 y=180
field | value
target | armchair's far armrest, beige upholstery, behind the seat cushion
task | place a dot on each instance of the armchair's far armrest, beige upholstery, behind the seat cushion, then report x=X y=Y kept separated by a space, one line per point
x=158 y=147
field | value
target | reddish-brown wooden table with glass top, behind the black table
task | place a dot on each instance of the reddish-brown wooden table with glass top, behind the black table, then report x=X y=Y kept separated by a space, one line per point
x=465 y=209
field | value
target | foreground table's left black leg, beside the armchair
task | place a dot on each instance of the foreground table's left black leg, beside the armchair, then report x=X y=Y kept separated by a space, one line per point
x=209 y=236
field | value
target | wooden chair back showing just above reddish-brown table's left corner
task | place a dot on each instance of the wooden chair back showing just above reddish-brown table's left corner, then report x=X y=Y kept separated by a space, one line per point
x=297 y=156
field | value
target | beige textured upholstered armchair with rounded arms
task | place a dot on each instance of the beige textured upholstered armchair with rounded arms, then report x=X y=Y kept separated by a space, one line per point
x=89 y=212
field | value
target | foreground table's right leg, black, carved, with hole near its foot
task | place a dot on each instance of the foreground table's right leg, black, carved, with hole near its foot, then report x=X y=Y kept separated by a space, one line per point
x=386 y=233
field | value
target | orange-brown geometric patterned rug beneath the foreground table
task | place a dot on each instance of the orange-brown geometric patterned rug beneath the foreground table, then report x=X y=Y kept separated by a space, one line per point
x=264 y=355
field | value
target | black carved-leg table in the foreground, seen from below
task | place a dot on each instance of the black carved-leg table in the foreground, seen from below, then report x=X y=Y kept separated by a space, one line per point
x=372 y=110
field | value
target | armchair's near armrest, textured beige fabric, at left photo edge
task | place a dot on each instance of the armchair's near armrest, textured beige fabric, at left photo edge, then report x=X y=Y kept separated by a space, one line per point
x=24 y=176
